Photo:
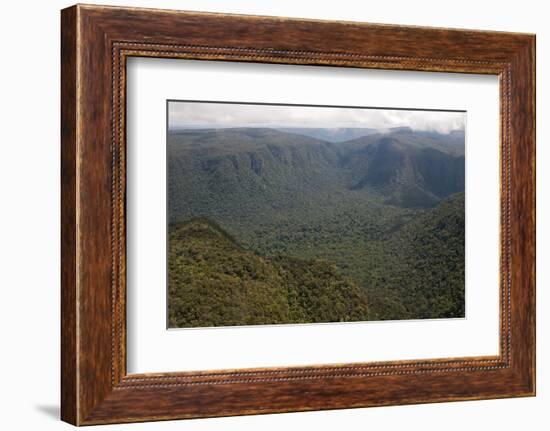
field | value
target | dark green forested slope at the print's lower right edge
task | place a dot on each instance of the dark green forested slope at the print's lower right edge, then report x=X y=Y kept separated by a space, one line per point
x=420 y=271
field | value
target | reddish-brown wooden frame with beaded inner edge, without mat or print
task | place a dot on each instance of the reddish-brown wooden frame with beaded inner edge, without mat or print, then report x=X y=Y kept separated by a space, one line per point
x=95 y=43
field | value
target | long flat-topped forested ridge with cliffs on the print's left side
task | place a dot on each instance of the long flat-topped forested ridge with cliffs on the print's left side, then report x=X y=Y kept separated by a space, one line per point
x=235 y=171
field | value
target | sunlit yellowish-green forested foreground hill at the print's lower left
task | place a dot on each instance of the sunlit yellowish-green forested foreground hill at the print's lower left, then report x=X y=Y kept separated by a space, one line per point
x=213 y=281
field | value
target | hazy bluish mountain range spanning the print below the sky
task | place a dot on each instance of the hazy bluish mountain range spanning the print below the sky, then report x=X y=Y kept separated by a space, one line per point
x=252 y=168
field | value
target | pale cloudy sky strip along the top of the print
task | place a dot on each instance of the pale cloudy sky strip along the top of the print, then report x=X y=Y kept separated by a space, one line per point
x=214 y=115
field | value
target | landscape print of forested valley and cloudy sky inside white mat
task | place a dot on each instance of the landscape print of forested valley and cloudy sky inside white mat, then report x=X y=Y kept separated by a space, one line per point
x=297 y=214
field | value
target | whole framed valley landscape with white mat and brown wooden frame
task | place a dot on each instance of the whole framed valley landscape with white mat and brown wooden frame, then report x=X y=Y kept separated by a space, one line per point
x=263 y=214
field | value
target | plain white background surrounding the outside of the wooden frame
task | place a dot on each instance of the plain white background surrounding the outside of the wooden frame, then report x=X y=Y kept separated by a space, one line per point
x=29 y=215
